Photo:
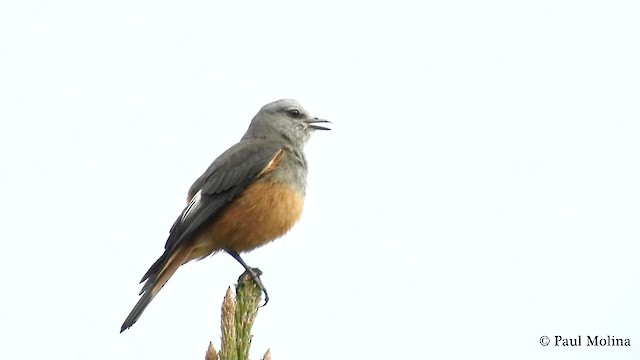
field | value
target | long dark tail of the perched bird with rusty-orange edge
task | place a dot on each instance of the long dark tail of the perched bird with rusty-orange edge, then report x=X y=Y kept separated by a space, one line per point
x=155 y=281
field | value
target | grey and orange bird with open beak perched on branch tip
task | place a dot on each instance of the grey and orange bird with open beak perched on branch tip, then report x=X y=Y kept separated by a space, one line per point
x=250 y=195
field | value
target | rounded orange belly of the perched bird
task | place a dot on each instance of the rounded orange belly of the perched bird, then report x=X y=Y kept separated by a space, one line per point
x=262 y=213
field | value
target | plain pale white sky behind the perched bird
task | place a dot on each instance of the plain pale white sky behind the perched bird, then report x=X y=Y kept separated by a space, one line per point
x=479 y=189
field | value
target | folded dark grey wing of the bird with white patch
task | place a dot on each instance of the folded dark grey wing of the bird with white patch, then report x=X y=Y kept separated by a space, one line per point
x=223 y=181
